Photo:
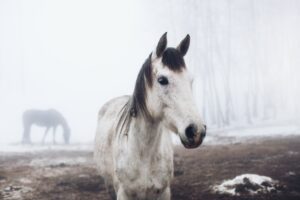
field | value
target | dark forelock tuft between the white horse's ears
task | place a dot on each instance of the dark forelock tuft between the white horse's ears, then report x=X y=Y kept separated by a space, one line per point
x=173 y=59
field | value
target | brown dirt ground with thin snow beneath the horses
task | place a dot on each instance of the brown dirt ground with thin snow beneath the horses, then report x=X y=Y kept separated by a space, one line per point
x=71 y=174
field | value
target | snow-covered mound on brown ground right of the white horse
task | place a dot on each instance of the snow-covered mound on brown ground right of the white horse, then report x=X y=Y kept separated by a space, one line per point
x=246 y=183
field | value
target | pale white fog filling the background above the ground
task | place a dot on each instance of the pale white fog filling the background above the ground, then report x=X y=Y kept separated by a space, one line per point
x=76 y=55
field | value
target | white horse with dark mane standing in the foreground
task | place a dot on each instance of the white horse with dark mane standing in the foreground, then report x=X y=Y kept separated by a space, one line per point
x=133 y=145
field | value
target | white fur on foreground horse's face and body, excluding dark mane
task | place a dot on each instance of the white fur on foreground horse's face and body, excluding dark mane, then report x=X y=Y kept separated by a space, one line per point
x=138 y=164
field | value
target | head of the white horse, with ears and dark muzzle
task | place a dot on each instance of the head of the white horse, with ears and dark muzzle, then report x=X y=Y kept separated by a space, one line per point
x=169 y=93
